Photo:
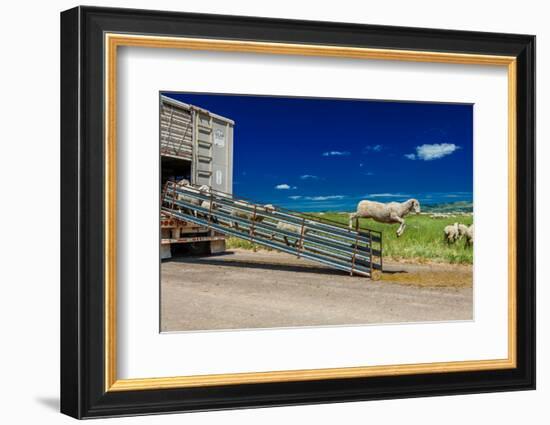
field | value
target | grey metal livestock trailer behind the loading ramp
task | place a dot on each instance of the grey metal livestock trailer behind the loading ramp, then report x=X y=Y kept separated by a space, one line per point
x=196 y=145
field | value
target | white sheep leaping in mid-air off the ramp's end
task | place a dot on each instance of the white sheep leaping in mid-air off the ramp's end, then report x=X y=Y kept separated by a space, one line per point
x=392 y=212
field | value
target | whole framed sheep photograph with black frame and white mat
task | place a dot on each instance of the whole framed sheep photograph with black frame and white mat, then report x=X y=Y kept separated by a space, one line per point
x=261 y=212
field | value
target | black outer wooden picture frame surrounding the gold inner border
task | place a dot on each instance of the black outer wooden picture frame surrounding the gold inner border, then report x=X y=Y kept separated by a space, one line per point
x=83 y=392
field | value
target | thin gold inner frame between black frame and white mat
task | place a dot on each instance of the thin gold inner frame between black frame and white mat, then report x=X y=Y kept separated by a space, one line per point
x=113 y=41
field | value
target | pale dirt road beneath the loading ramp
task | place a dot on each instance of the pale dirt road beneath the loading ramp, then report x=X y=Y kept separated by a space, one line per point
x=243 y=289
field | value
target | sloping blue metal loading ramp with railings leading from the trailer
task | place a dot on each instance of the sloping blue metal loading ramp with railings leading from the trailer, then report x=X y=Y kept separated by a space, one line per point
x=358 y=251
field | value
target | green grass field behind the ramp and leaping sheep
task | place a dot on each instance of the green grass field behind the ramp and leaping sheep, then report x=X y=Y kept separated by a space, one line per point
x=422 y=241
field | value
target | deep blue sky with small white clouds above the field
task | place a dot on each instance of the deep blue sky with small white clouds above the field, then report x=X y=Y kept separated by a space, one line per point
x=316 y=154
